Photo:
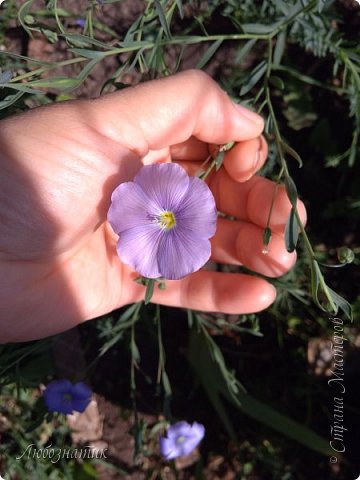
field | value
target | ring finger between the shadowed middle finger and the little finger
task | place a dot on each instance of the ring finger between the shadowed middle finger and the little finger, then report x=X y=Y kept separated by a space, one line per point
x=242 y=243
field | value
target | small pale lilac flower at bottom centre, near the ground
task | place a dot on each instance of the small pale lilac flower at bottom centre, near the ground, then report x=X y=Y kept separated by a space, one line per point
x=181 y=439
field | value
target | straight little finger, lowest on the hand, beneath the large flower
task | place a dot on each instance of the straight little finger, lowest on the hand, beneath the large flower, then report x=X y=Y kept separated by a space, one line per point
x=217 y=292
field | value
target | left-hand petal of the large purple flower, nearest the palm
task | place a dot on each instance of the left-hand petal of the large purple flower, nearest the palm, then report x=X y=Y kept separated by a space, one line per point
x=130 y=207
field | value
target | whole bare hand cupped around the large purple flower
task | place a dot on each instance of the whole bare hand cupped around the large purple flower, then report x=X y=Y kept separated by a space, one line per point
x=58 y=167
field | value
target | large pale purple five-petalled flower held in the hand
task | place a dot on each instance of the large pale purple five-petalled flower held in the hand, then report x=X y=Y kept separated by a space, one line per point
x=164 y=220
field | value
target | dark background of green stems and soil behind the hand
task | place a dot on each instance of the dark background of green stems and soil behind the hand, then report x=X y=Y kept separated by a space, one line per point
x=297 y=62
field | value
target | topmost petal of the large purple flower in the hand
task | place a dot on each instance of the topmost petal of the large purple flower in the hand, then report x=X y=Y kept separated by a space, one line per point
x=164 y=183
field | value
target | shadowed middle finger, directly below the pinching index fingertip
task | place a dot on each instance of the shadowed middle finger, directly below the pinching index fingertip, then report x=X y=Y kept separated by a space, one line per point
x=251 y=201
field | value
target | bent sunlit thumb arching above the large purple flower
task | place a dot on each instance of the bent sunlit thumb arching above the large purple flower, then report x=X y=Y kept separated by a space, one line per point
x=169 y=111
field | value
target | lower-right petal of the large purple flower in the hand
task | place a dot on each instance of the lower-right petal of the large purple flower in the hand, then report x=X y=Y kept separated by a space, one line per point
x=180 y=253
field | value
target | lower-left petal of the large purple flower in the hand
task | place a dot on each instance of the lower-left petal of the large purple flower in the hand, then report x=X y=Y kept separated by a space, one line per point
x=138 y=247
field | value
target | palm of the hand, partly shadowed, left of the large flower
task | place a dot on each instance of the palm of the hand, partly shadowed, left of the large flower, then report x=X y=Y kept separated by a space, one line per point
x=62 y=176
